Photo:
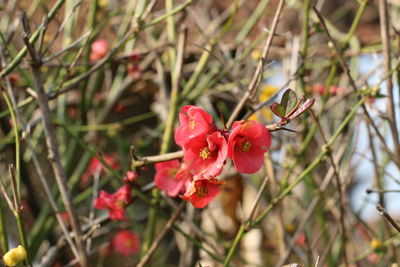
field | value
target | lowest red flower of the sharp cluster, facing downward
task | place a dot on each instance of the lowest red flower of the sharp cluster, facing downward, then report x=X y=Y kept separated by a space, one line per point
x=201 y=192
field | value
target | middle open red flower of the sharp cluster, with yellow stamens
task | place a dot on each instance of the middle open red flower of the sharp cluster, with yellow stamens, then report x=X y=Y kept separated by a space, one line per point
x=206 y=156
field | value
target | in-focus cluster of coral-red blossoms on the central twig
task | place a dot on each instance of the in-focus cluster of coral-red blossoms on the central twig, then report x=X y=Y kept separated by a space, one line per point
x=206 y=149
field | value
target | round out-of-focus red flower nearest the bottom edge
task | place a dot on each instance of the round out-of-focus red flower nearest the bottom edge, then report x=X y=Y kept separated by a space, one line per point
x=125 y=242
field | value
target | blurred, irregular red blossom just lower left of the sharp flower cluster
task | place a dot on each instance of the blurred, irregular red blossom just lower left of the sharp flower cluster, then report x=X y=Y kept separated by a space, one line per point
x=115 y=203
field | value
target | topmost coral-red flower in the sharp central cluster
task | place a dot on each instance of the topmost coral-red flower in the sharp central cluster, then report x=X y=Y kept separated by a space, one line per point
x=195 y=123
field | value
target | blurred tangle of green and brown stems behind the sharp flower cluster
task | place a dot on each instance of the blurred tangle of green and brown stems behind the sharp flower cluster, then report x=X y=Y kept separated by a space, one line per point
x=109 y=68
